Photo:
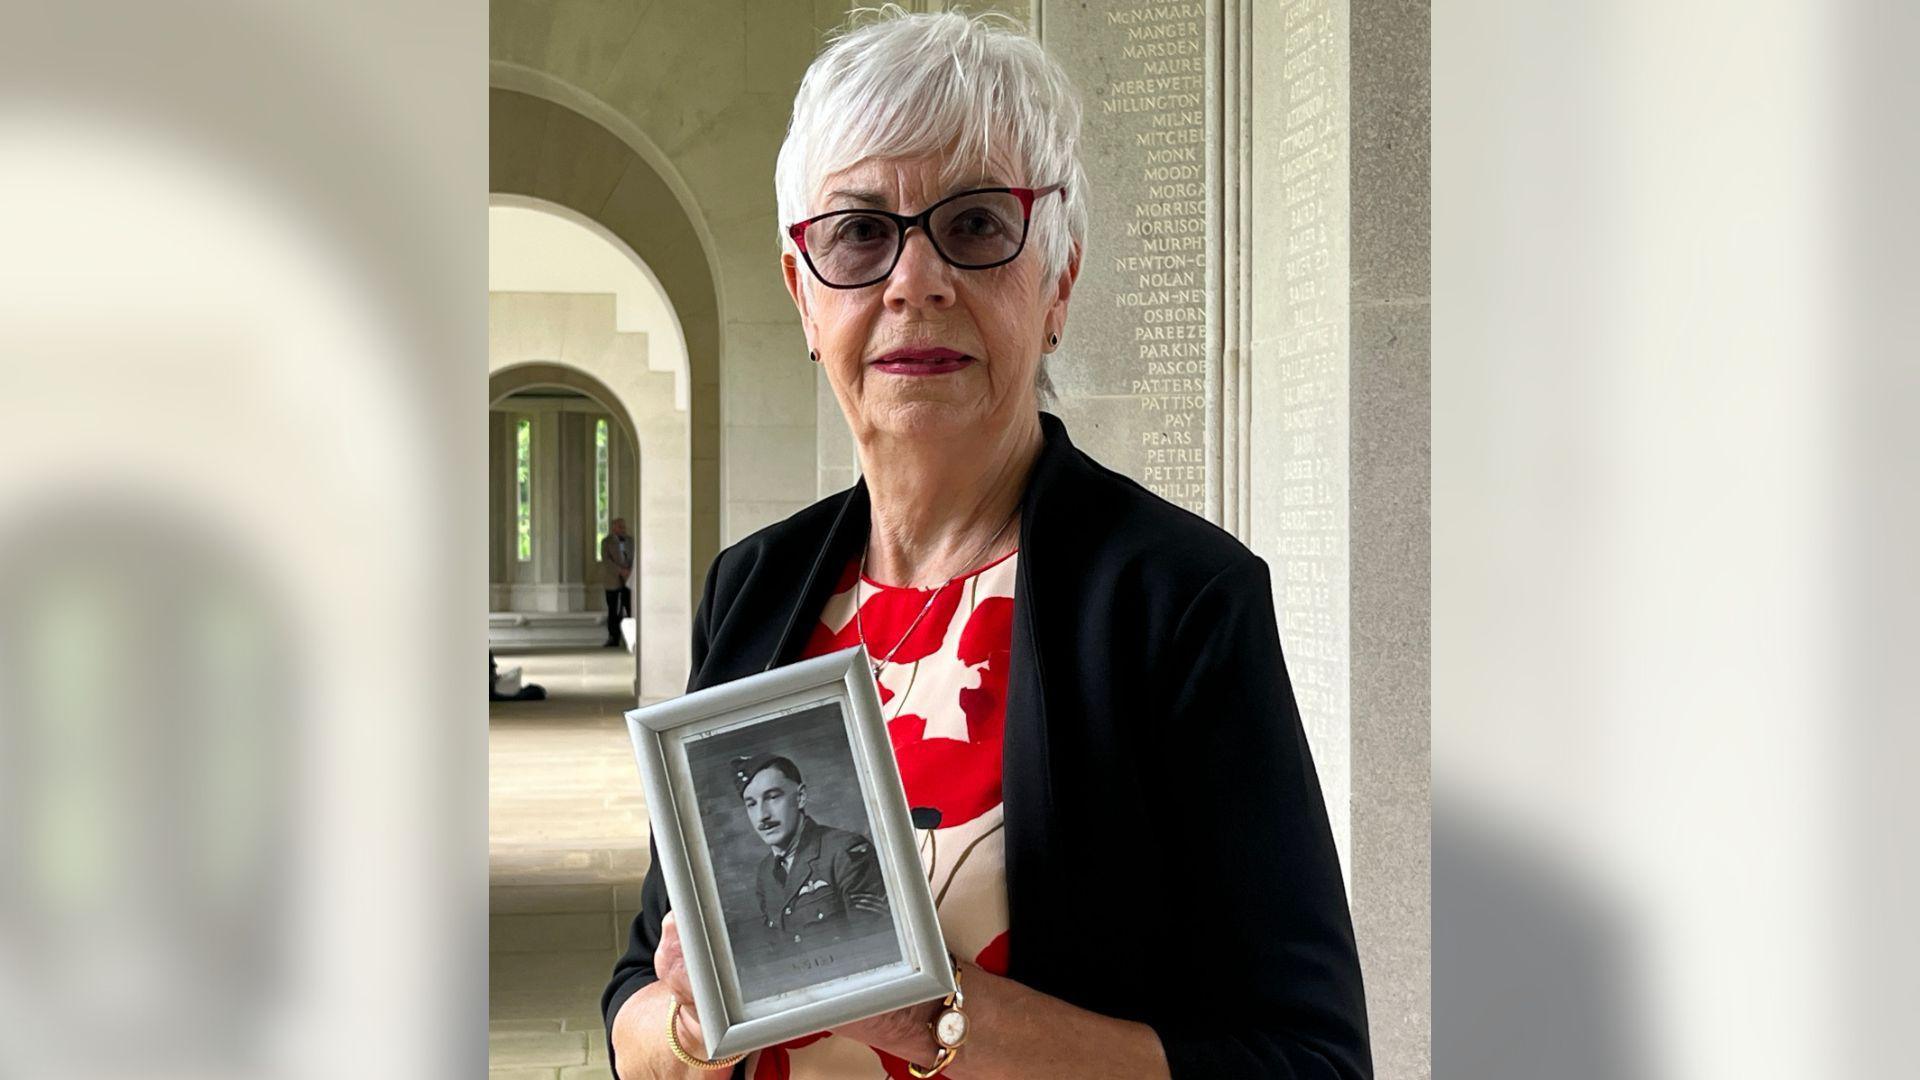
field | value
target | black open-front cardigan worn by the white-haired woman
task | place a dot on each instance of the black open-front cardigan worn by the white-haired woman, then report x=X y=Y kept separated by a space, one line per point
x=1168 y=856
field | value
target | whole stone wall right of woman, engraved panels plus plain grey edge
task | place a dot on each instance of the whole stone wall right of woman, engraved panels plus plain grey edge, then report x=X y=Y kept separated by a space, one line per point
x=1249 y=339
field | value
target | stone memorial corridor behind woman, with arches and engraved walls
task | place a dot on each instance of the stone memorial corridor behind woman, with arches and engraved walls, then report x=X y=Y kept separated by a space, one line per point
x=1249 y=339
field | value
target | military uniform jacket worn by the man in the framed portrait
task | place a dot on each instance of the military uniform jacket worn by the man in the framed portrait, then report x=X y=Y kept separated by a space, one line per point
x=830 y=893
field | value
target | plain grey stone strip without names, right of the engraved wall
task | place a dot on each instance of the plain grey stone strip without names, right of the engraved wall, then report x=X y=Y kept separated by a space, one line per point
x=1391 y=499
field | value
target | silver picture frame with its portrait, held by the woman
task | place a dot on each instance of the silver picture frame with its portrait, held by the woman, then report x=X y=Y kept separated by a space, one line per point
x=752 y=985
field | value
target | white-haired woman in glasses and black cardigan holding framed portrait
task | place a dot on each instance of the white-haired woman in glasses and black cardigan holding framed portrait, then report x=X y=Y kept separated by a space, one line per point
x=1084 y=683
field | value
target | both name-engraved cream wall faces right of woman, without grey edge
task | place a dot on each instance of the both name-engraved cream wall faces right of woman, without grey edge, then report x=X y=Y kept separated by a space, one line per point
x=1141 y=378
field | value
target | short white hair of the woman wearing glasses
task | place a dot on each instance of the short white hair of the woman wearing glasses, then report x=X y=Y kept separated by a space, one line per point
x=971 y=87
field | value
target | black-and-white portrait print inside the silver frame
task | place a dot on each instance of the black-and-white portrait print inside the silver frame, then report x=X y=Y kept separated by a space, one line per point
x=800 y=879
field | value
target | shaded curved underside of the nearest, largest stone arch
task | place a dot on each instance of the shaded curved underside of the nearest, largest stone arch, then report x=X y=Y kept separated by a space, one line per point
x=550 y=153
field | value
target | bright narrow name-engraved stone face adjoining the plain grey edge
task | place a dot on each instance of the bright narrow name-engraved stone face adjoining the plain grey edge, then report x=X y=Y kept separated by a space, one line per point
x=1299 y=449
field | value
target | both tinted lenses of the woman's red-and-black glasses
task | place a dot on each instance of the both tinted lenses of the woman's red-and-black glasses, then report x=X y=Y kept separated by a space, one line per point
x=971 y=232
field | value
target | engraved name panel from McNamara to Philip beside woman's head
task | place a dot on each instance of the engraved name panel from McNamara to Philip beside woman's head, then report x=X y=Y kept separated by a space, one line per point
x=1138 y=372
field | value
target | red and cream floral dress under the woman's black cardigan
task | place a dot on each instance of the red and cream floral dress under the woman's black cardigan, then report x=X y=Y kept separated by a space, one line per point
x=946 y=704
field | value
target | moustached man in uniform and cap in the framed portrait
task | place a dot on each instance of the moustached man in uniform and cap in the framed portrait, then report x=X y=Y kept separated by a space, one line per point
x=819 y=885
